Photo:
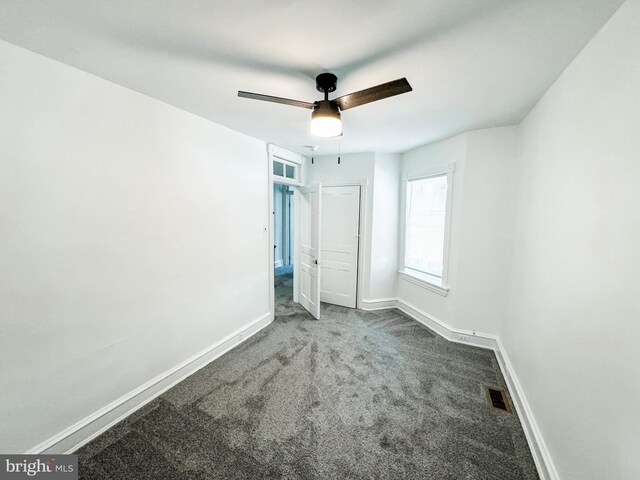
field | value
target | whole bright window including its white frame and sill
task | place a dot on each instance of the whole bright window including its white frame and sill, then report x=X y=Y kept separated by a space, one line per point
x=426 y=229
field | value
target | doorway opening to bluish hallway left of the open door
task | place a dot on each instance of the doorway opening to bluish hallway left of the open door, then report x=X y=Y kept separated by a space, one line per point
x=283 y=244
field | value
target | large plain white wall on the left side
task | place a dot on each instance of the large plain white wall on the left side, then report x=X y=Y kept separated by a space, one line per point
x=118 y=214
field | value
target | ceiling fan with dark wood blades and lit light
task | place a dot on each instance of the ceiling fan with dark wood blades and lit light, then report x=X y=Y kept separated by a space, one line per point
x=325 y=119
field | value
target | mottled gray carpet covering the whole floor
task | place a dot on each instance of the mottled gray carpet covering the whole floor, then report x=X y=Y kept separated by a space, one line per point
x=356 y=395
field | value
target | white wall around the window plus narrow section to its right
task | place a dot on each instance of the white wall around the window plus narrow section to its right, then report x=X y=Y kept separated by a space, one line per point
x=481 y=217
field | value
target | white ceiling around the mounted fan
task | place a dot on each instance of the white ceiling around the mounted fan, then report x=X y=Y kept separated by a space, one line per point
x=472 y=63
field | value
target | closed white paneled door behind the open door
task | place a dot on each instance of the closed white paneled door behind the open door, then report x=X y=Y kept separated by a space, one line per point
x=339 y=247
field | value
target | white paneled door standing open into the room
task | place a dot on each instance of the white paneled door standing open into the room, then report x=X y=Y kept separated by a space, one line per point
x=309 y=277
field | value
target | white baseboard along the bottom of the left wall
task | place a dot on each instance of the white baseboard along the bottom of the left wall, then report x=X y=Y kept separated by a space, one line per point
x=97 y=423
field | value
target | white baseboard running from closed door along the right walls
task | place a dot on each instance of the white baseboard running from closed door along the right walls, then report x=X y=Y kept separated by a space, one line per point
x=539 y=451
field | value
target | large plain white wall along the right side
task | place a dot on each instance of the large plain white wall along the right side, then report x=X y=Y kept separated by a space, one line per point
x=573 y=315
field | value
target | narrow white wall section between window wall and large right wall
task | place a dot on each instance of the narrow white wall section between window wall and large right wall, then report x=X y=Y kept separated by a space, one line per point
x=485 y=229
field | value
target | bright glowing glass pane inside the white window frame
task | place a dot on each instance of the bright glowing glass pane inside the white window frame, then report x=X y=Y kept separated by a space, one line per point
x=426 y=205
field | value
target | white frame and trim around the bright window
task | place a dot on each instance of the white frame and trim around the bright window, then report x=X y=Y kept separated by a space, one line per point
x=430 y=282
